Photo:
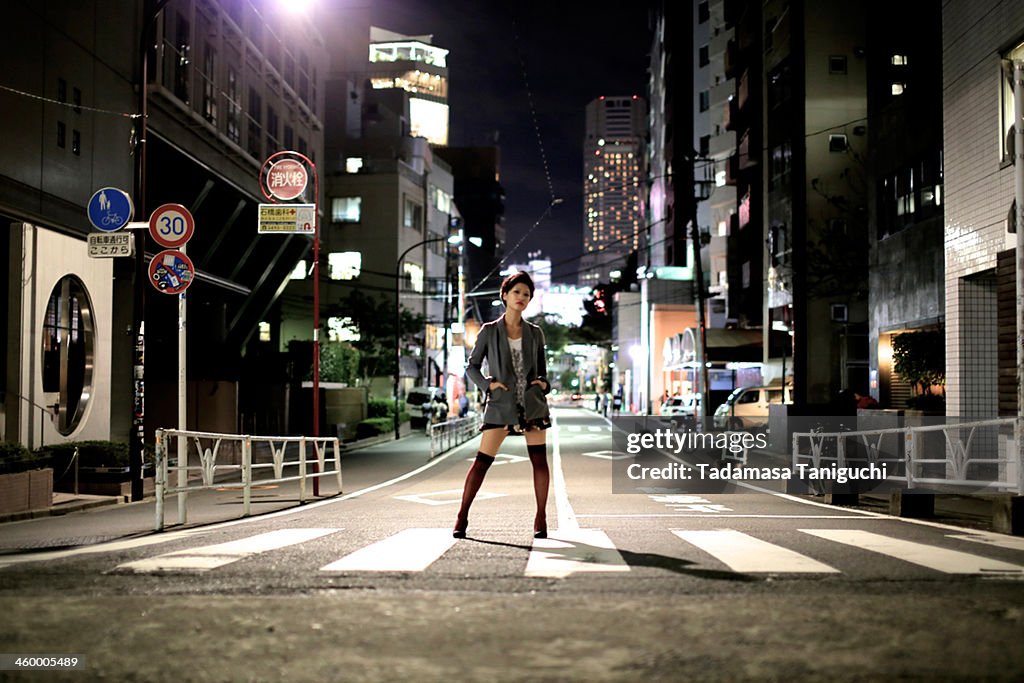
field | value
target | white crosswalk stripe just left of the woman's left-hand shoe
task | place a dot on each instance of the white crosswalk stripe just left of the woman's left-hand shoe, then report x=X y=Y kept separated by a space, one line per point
x=411 y=550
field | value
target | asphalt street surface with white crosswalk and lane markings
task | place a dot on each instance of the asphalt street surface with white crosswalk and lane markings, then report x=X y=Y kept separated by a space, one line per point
x=653 y=585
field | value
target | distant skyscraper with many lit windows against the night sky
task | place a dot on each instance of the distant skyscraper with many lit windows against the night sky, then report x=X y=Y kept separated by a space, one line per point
x=613 y=173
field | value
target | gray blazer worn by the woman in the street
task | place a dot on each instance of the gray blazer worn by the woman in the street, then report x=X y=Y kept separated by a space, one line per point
x=493 y=347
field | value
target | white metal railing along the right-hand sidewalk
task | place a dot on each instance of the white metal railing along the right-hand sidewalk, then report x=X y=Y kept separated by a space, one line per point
x=910 y=457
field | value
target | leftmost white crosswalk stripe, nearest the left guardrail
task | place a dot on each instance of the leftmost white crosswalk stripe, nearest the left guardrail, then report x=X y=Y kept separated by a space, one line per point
x=204 y=559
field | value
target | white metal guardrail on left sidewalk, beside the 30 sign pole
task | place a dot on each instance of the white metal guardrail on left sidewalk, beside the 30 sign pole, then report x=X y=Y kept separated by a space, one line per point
x=272 y=455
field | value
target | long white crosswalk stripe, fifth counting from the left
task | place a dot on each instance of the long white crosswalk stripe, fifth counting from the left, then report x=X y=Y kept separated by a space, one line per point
x=942 y=560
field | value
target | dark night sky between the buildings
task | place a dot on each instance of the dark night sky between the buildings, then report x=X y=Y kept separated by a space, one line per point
x=573 y=53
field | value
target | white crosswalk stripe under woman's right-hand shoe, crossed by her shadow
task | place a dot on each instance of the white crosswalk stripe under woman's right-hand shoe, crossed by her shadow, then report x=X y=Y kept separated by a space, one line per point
x=570 y=551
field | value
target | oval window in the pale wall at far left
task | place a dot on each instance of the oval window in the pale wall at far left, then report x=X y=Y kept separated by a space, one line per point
x=68 y=353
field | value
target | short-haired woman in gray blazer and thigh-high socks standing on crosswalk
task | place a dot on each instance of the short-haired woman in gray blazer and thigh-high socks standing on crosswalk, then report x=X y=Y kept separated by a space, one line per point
x=516 y=397
